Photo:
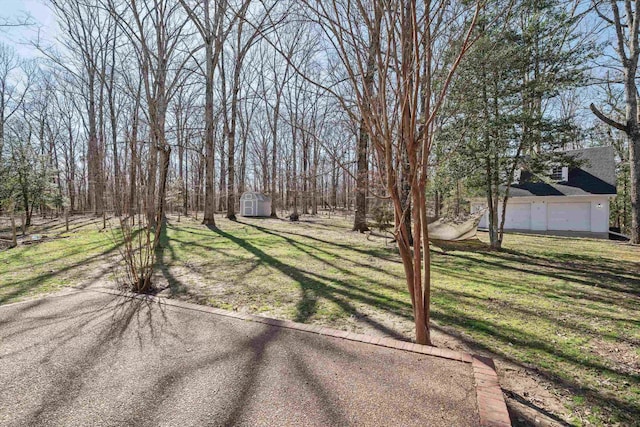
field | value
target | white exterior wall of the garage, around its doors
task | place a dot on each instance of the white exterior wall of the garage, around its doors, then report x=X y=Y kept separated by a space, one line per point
x=599 y=210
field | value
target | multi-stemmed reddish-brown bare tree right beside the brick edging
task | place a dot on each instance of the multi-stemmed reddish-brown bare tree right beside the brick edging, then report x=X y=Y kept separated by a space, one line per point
x=398 y=112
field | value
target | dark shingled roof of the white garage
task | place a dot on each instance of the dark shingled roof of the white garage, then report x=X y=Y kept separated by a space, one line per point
x=596 y=175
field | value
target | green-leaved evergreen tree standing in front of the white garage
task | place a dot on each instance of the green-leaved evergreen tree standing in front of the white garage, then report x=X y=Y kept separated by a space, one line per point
x=500 y=122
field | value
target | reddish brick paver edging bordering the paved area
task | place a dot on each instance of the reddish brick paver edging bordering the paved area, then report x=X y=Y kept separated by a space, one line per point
x=491 y=405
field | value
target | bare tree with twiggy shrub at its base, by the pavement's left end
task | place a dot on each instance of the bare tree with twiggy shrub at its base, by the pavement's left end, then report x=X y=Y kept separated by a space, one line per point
x=155 y=31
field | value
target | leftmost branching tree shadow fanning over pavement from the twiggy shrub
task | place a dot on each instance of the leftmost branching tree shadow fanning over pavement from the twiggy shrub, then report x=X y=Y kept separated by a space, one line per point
x=107 y=321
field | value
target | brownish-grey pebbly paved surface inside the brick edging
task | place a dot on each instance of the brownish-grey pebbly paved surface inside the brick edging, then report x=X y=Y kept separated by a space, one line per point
x=95 y=358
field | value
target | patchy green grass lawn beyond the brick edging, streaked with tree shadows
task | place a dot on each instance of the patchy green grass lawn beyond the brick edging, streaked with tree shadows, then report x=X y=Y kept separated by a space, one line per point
x=560 y=315
